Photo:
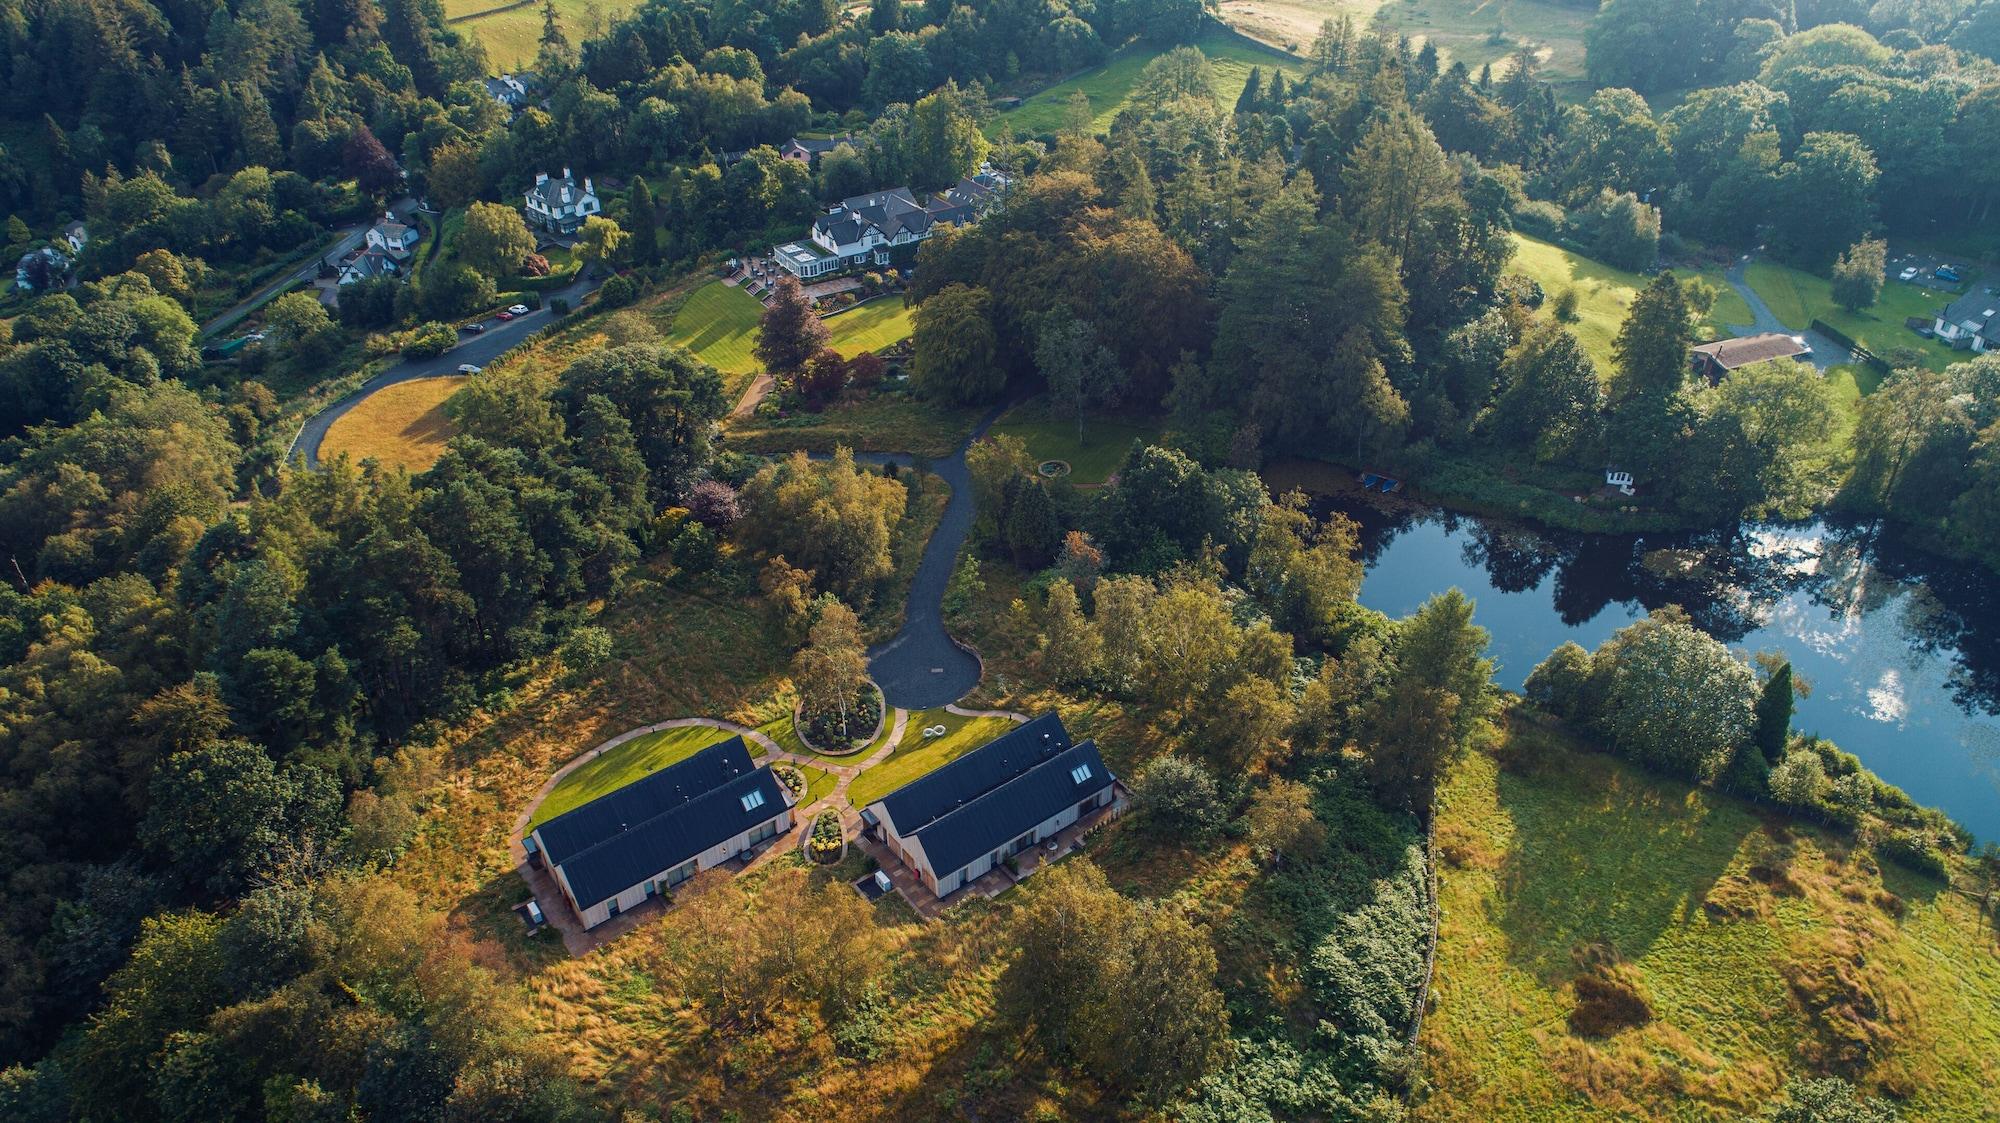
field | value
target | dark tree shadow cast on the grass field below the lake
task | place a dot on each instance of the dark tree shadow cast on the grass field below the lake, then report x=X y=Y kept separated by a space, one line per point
x=1605 y=854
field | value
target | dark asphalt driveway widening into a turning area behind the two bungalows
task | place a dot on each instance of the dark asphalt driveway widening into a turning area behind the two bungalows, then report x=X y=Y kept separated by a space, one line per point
x=923 y=666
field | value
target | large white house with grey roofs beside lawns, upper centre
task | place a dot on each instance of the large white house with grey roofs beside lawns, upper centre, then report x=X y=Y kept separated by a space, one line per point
x=873 y=229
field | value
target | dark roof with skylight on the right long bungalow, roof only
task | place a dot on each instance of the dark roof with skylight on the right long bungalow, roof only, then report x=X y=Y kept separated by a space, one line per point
x=995 y=794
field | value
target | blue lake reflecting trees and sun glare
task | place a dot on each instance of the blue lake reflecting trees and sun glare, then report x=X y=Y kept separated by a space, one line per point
x=1901 y=650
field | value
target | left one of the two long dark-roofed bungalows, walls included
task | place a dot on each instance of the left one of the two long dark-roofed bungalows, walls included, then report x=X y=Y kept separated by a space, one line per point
x=653 y=834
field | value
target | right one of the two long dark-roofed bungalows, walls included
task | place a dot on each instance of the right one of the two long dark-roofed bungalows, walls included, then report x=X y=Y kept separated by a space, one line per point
x=991 y=804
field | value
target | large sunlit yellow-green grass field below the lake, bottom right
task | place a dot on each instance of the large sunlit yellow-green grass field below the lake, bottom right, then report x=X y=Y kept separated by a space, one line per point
x=1729 y=924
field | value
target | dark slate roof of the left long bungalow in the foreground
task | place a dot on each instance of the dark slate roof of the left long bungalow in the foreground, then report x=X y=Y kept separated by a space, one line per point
x=659 y=822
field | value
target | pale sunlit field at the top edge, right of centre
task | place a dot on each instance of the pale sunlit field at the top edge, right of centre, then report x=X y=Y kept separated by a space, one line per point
x=1461 y=29
